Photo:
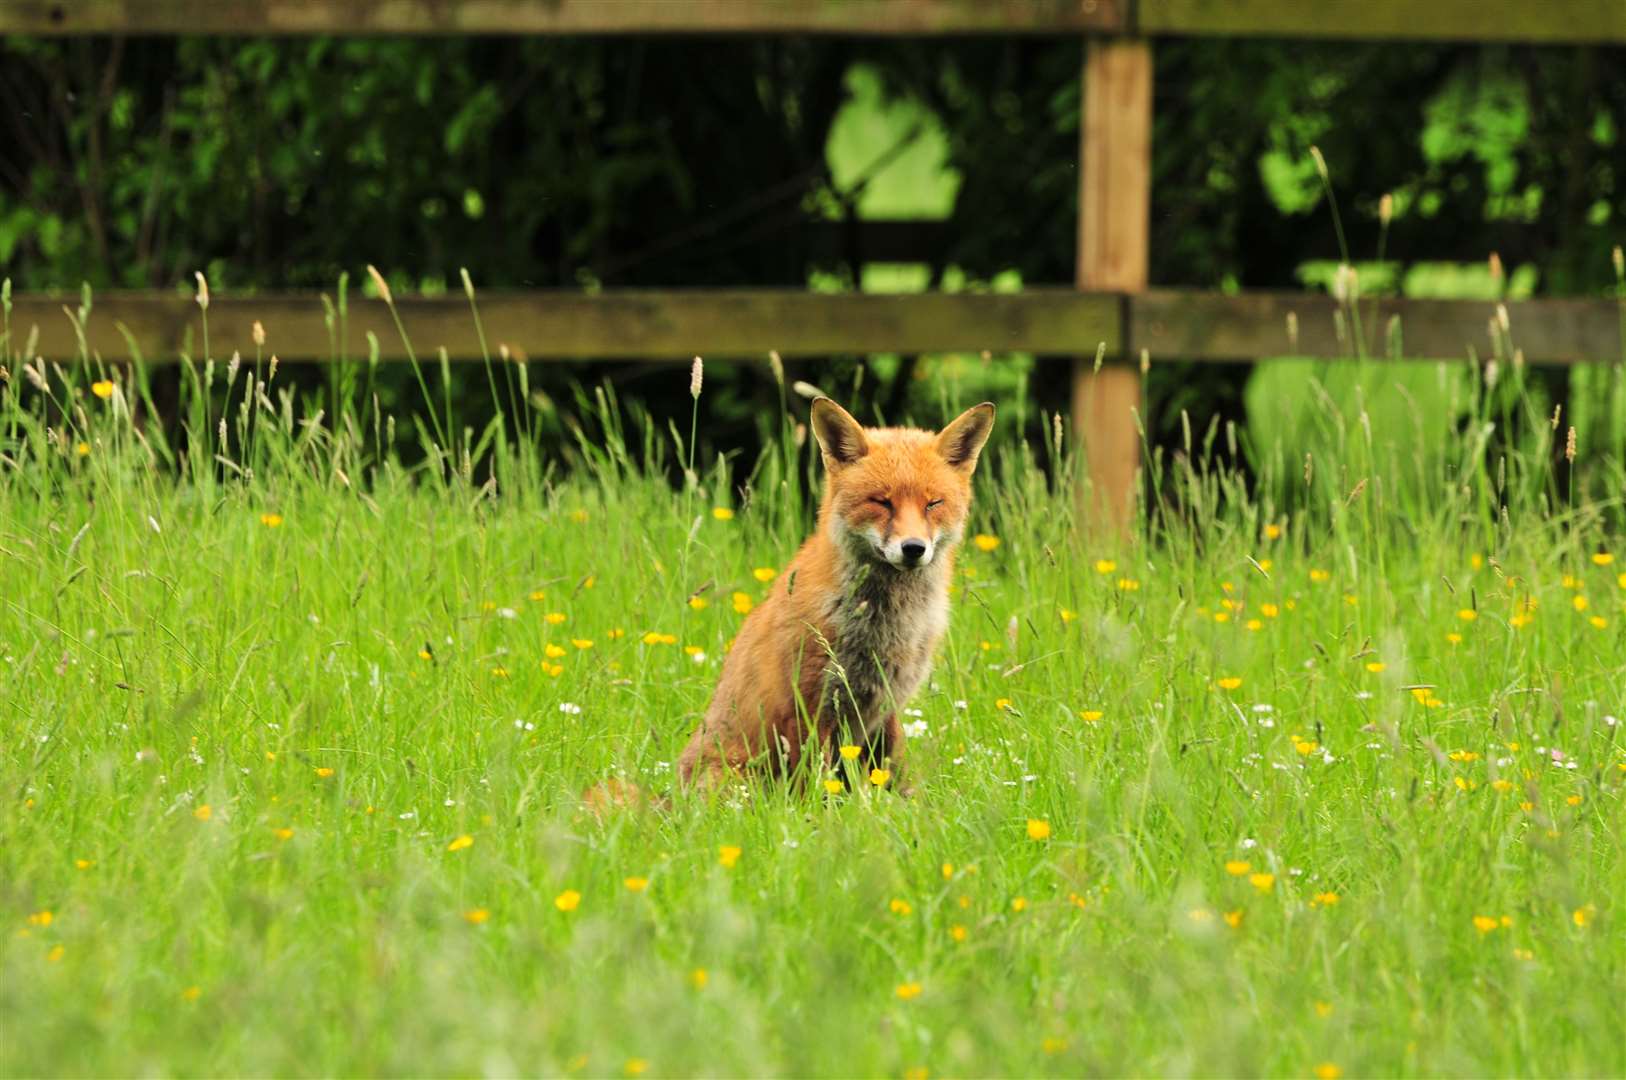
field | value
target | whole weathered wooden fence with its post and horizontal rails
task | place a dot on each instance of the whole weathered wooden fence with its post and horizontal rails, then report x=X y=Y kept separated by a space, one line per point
x=1113 y=307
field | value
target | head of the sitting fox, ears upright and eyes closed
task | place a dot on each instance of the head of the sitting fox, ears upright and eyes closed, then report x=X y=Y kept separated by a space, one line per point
x=898 y=495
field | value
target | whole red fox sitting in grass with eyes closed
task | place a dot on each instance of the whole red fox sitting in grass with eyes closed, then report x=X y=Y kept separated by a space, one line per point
x=848 y=634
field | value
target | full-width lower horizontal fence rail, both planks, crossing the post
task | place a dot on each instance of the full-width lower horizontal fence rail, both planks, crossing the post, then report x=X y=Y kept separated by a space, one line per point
x=746 y=324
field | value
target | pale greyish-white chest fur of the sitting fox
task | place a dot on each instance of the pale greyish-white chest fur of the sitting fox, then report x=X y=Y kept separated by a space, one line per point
x=885 y=630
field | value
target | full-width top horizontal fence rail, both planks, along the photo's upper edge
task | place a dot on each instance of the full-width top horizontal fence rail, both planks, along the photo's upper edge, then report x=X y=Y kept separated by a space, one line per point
x=1598 y=22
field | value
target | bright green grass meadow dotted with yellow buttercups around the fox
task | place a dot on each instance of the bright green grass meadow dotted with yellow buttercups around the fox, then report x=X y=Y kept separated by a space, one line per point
x=1326 y=782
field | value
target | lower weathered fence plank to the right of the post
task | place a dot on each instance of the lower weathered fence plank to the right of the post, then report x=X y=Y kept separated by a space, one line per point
x=1178 y=324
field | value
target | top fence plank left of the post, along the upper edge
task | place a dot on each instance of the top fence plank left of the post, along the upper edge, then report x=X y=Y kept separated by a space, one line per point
x=559 y=17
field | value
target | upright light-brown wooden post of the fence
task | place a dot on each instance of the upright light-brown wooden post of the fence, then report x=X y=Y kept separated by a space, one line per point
x=1115 y=198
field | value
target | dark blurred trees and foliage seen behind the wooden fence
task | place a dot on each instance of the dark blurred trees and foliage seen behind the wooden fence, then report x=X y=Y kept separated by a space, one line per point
x=614 y=163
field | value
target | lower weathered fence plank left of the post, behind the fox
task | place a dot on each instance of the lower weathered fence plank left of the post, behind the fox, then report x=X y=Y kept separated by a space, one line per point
x=614 y=326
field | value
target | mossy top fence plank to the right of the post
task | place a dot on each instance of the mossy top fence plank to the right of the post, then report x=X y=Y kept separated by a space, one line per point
x=1596 y=22
